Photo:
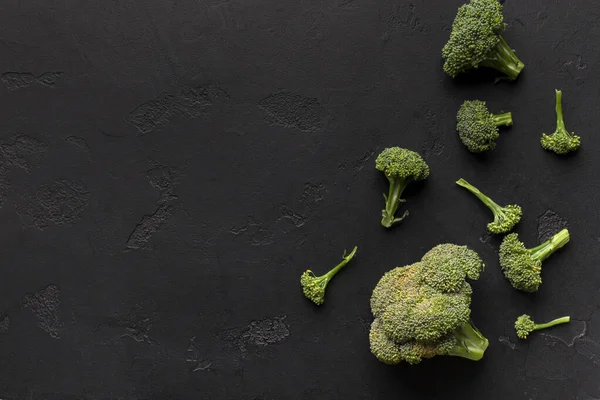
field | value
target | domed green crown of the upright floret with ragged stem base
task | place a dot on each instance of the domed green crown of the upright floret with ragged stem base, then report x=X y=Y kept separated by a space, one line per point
x=399 y=163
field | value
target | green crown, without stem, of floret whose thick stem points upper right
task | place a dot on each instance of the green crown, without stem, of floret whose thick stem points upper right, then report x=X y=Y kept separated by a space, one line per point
x=522 y=270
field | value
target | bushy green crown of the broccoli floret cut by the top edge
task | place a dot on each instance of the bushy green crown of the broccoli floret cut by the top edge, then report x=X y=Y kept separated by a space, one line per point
x=475 y=32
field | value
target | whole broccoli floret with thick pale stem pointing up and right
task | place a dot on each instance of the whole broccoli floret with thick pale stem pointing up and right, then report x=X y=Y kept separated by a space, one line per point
x=522 y=266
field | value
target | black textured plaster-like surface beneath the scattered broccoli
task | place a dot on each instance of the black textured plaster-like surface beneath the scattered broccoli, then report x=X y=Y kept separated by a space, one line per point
x=169 y=168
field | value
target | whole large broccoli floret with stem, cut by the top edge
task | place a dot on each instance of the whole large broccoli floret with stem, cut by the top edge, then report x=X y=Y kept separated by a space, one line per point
x=475 y=41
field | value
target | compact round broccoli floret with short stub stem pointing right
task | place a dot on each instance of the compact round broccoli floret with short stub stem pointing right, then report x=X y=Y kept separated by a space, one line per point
x=477 y=127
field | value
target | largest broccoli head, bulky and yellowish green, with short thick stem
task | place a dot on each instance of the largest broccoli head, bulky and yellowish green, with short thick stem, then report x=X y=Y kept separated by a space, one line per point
x=423 y=310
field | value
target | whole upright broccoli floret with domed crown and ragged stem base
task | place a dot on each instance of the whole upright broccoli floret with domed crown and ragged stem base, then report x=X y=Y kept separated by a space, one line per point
x=401 y=167
